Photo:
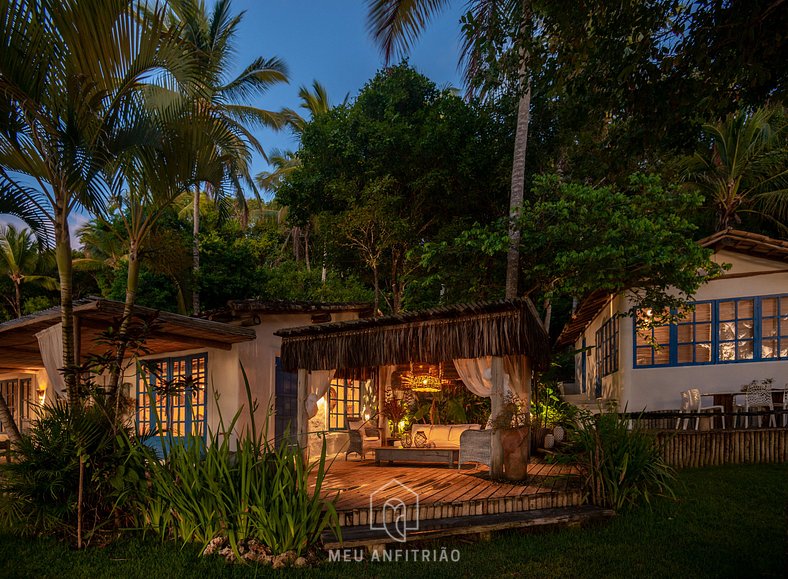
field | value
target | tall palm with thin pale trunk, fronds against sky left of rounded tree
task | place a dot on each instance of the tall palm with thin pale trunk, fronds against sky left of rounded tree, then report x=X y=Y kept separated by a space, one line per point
x=212 y=34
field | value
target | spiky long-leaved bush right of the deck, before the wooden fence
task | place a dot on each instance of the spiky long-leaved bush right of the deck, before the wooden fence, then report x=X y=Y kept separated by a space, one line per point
x=621 y=463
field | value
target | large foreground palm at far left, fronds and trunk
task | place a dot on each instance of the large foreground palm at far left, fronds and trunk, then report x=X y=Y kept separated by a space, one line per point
x=74 y=75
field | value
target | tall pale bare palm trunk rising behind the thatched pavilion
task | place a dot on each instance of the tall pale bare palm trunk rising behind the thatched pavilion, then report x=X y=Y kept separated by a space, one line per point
x=518 y=168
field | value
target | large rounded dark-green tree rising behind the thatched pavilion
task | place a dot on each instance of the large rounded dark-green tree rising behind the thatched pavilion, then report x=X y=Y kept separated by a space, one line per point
x=403 y=164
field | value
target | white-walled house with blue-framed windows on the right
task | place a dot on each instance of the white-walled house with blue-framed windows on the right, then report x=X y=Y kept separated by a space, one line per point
x=737 y=333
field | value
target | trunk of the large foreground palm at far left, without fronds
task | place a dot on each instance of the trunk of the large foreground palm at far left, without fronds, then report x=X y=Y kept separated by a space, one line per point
x=64 y=268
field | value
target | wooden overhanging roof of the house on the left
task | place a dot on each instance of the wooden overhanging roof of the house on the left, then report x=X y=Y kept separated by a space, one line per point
x=172 y=332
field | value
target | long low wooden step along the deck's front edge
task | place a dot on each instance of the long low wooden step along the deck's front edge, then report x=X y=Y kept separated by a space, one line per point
x=364 y=536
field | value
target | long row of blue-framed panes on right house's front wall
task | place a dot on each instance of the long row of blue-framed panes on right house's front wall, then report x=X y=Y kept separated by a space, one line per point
x=747 y=329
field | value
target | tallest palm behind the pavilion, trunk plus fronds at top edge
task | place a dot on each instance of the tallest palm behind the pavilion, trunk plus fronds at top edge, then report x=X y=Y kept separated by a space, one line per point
x=395 y=24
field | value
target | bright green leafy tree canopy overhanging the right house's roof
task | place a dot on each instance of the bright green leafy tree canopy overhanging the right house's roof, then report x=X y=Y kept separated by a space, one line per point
x=577 y=239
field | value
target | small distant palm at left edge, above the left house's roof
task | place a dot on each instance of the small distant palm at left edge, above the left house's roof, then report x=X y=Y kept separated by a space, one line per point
x=23 y=262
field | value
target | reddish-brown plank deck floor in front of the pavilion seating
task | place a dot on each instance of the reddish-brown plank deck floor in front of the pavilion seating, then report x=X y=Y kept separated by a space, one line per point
x=440 y=492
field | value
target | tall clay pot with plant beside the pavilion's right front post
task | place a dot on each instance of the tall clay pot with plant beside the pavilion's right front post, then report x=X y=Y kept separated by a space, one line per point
x=514 y=423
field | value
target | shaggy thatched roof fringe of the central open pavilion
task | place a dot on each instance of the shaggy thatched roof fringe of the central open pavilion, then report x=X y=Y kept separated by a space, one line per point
x=438 y=335
